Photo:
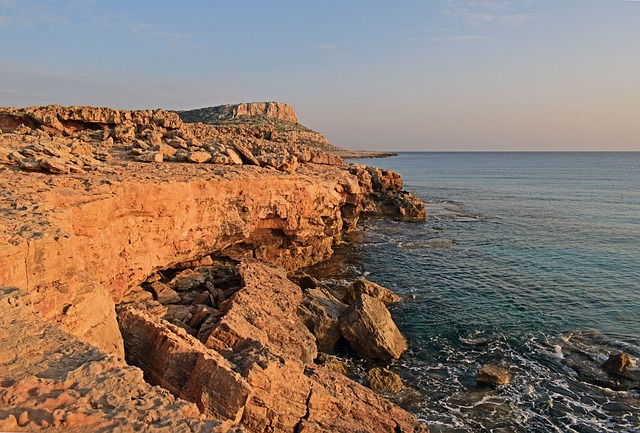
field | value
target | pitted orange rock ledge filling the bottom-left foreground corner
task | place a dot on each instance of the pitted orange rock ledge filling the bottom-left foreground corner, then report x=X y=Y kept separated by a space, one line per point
x=51 y=380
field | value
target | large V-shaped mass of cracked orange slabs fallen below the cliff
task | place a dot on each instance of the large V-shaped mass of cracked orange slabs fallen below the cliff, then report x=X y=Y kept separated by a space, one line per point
x=251 y=369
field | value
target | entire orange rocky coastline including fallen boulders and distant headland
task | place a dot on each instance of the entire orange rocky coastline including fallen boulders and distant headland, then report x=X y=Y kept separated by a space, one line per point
x=150 y=274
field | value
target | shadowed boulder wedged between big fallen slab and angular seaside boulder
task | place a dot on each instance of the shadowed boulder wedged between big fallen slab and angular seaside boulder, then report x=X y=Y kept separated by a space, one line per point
x=320 y=311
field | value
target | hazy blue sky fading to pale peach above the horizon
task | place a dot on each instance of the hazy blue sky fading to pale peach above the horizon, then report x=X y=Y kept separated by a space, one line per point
x=401 y=75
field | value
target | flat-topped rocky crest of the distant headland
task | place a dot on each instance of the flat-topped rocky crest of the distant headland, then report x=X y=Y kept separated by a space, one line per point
x=275 y=110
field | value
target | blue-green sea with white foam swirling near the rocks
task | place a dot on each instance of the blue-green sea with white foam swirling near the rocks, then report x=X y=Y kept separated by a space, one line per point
x=526 y=260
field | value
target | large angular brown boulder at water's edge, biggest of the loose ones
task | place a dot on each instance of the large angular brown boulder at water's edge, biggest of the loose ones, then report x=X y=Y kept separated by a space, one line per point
x=368 y=327
